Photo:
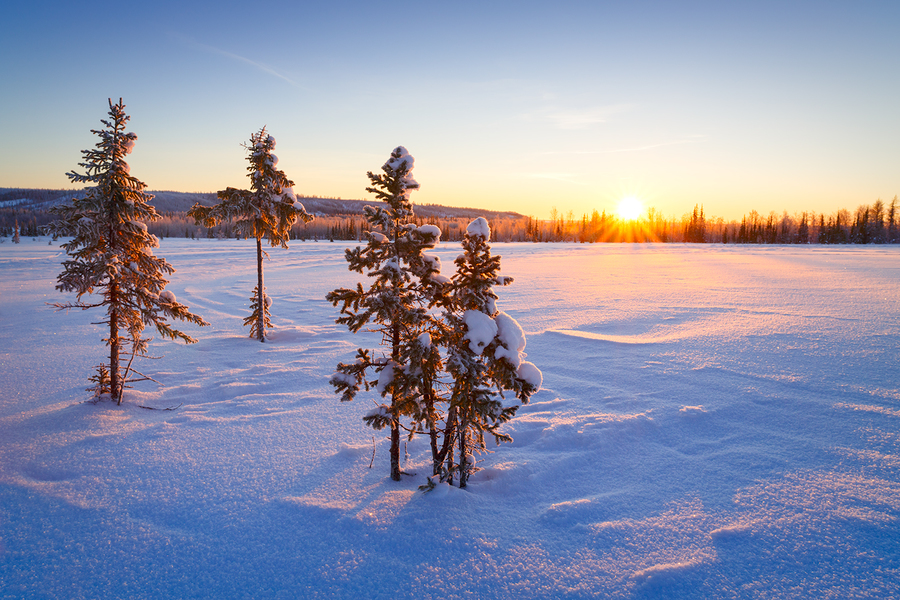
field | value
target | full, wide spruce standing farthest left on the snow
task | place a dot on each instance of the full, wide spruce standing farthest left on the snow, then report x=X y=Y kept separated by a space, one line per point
x=111 y=253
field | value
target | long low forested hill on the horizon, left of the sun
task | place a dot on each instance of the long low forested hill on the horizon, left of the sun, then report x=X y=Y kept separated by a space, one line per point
x=26 y=200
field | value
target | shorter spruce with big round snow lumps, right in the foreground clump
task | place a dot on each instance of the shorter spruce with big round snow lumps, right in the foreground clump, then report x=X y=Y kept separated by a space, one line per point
x=485 y=351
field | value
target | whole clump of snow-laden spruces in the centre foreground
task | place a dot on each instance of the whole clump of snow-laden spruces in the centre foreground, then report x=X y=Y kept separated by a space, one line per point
x=448 y=353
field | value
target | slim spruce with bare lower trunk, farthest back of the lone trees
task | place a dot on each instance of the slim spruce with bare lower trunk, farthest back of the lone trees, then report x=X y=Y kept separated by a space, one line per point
x=267 y=210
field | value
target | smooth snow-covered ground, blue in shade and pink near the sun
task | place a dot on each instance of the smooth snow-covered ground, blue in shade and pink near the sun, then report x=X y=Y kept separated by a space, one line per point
x=716 y=422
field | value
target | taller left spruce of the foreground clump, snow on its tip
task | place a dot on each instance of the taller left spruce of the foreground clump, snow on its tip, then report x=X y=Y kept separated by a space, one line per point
x=404 y=282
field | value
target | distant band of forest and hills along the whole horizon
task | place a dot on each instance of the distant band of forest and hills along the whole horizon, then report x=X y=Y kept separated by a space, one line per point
x=338 y=219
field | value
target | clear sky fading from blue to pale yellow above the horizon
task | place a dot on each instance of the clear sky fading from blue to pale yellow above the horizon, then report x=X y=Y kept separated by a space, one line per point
x=523 y=106
